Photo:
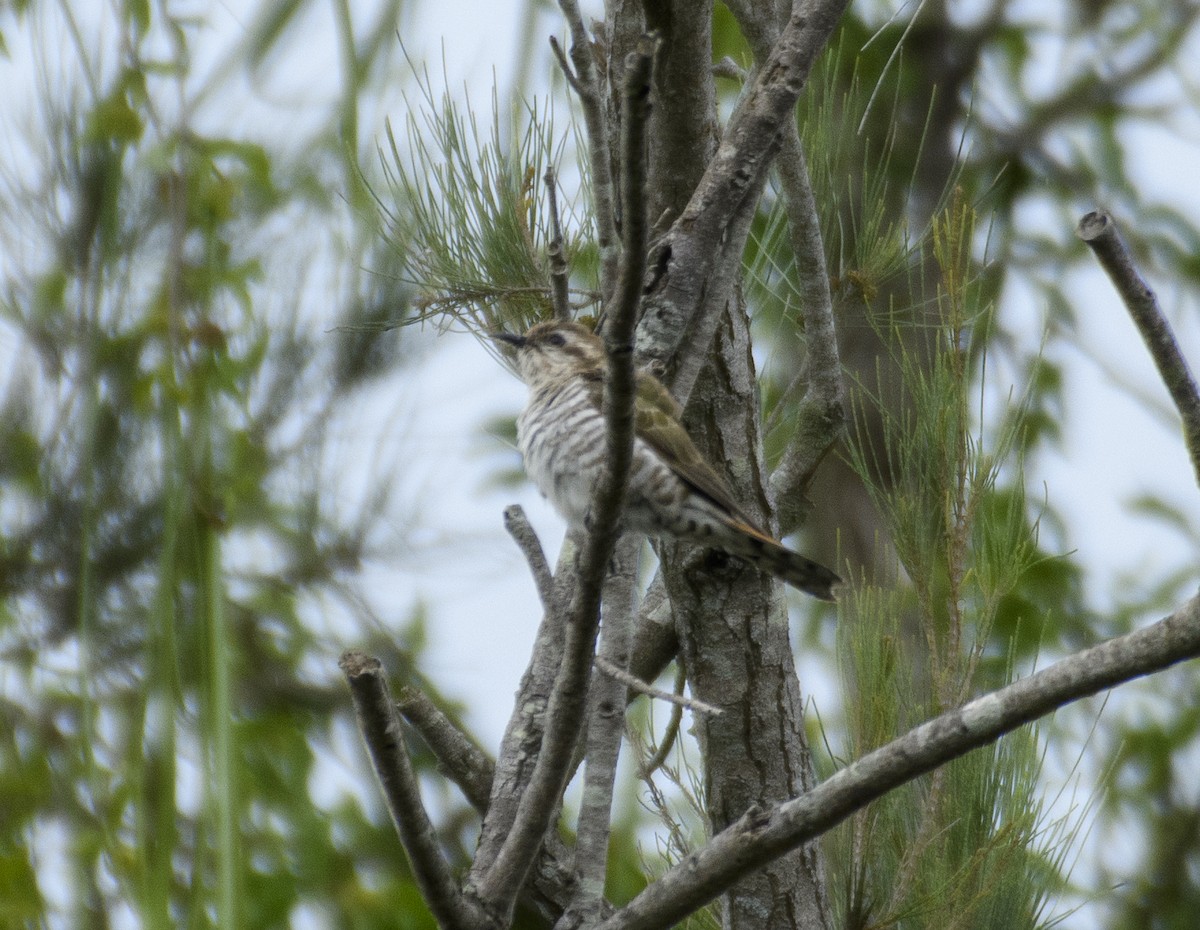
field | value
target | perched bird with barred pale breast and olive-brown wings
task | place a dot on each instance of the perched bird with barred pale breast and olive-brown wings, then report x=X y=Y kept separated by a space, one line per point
x=673 y=491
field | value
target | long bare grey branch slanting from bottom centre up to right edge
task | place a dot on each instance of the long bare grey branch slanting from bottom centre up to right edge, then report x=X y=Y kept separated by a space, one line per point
x=764 y=835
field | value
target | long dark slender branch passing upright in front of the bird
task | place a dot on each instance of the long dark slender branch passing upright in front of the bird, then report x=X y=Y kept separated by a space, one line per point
x=507 y=873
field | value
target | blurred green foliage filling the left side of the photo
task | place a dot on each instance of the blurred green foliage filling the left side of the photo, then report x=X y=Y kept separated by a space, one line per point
x=171 y=560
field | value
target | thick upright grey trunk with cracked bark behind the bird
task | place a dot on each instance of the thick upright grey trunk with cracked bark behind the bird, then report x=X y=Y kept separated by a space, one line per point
x=731 y=622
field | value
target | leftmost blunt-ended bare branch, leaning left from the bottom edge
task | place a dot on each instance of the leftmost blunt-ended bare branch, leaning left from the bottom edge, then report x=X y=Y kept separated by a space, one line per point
x=381 y=730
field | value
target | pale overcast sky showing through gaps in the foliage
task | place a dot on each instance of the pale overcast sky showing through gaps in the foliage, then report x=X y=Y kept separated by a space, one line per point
x=482 y=607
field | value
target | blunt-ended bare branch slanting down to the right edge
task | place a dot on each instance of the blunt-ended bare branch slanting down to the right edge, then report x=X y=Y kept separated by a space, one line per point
x=1101 y=235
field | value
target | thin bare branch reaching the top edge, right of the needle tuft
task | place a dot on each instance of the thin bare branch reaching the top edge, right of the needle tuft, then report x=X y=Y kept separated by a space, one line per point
x=587 y=86
